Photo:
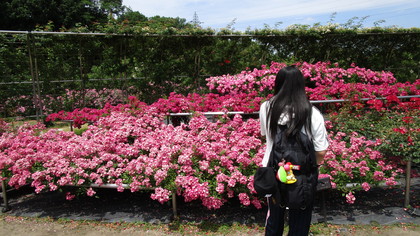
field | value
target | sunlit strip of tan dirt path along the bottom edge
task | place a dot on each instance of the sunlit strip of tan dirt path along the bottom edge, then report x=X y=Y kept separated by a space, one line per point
x=18 y=226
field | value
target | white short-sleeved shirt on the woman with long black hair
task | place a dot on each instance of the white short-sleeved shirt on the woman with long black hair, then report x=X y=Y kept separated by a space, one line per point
x=319 y=133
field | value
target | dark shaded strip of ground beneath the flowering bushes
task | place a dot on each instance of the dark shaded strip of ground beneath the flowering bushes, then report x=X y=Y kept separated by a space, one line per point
x=379 y=205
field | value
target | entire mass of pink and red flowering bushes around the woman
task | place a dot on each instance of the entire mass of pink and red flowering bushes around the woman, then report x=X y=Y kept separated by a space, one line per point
x=131 y=146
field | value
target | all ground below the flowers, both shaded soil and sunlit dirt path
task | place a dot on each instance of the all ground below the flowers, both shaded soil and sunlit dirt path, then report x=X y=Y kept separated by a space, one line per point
x=114 y=213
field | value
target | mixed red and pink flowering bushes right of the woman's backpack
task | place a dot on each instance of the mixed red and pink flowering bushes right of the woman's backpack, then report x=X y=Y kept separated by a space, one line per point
x=387 y=128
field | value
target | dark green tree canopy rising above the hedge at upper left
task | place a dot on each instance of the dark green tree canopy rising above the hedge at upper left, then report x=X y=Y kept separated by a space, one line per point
x=66 y=14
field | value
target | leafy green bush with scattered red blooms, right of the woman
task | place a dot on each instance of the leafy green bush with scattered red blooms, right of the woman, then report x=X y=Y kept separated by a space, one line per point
x=394 y=121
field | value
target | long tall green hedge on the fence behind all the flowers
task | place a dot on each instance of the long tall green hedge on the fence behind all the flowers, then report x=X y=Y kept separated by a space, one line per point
x=162 y=60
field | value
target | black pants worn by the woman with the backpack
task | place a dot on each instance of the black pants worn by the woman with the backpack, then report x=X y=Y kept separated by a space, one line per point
x=299 y=220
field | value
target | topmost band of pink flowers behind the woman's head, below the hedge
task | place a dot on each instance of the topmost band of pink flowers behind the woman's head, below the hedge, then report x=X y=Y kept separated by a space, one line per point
x=322 y=74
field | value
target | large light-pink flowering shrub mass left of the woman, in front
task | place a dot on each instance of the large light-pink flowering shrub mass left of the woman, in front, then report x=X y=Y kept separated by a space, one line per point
x=203 y=161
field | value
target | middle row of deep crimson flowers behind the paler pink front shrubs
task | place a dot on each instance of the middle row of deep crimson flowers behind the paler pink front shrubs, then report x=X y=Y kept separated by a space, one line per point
x=250 y=102
